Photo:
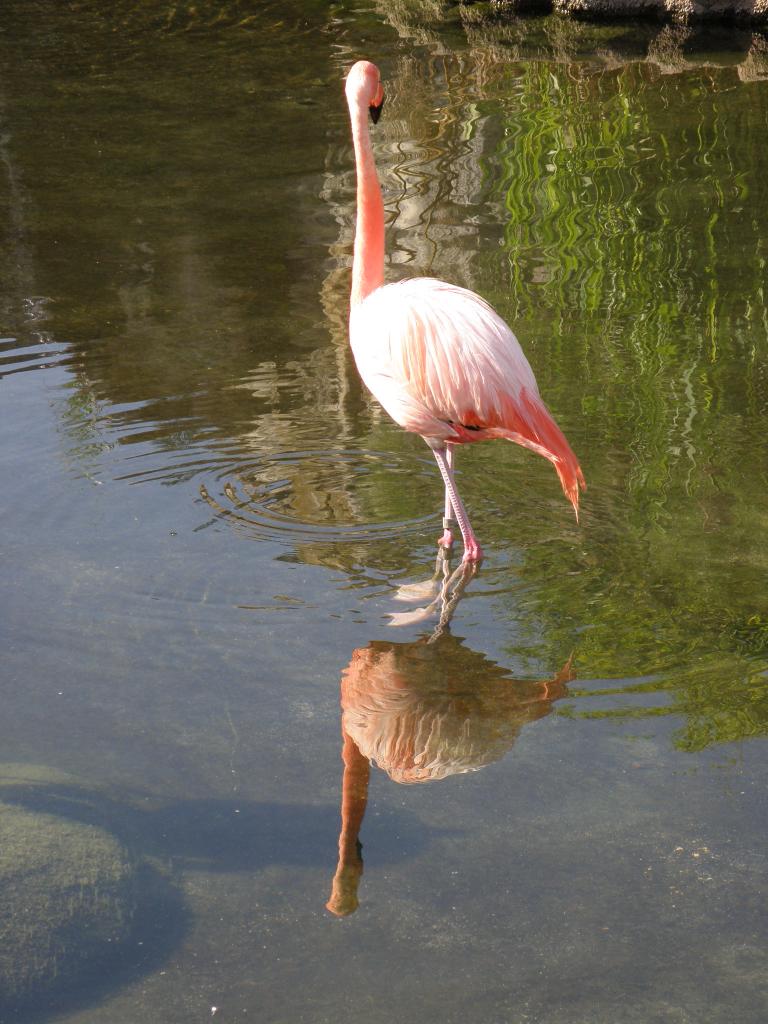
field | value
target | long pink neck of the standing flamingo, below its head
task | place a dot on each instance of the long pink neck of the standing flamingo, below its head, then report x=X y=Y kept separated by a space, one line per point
x=368 y=265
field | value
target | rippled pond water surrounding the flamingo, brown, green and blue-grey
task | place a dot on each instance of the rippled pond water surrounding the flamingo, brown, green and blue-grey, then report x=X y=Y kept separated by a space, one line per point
x=207 y=523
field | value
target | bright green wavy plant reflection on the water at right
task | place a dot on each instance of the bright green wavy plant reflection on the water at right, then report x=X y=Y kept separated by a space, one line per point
x=637 y=251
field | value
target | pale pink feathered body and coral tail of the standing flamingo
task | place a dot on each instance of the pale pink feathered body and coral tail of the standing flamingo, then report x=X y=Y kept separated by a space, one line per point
x=446 y=366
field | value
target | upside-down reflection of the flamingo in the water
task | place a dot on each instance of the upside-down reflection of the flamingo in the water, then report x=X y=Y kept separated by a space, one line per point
x=423 y=711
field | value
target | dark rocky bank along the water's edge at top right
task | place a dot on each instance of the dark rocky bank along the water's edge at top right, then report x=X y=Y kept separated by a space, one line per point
x=676 y=38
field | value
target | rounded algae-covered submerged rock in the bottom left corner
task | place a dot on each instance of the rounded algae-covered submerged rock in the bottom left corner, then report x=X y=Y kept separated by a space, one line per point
x=67 y=898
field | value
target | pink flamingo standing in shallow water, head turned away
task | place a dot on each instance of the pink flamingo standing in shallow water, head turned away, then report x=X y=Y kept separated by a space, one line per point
x=438 y=358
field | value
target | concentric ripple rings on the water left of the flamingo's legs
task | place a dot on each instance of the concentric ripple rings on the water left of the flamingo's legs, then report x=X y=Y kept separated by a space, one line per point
x=323 y=495
